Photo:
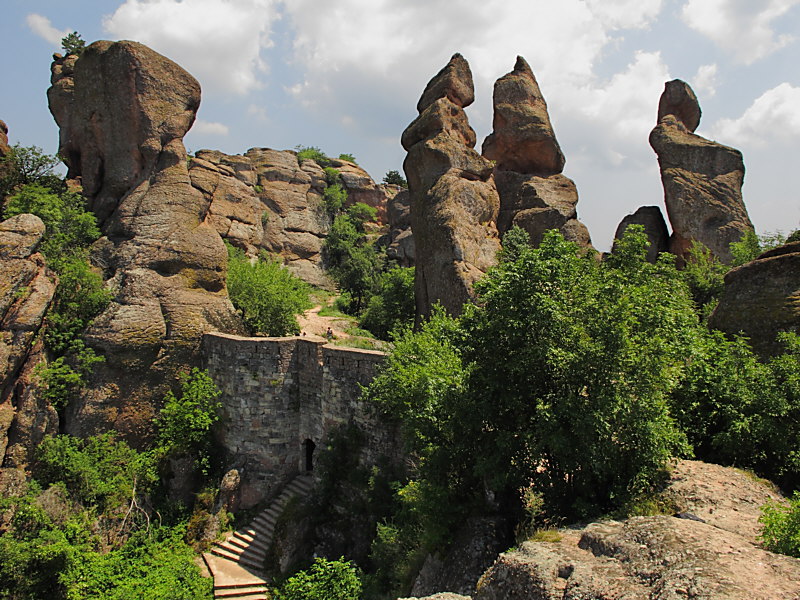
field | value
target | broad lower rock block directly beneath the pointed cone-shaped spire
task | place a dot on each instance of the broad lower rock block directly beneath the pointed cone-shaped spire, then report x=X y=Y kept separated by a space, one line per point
x=537 y=204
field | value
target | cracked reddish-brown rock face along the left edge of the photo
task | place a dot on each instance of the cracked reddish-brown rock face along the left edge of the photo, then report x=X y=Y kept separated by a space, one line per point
x=26 y=291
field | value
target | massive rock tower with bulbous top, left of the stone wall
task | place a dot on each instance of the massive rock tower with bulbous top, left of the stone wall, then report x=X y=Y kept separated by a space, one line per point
x=123 y=110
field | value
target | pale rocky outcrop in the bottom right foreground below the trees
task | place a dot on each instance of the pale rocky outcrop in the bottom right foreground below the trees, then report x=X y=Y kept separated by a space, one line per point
x=708 y=549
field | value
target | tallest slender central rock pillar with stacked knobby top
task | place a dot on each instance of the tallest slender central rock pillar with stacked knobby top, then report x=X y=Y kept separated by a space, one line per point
x=454 y=202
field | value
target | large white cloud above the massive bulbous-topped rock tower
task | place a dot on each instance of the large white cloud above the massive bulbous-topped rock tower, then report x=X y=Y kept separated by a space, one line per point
x=218 y=41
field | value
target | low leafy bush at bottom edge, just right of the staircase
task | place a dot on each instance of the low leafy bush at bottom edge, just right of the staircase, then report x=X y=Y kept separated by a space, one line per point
x=325 y=580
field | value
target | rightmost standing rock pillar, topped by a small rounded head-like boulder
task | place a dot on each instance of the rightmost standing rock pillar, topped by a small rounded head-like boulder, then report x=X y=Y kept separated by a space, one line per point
x=702 y=179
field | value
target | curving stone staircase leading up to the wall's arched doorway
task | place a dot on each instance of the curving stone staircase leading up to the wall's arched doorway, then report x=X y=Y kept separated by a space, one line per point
x=237 y=563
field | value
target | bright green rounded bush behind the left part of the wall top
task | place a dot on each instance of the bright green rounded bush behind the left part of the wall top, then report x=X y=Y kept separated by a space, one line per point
x=266 y=294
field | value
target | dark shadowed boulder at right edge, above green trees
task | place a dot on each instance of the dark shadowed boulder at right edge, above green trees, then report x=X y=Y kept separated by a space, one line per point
x=761 y=298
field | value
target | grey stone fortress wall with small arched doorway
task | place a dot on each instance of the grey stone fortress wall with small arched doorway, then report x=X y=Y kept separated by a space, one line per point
x=283 y=397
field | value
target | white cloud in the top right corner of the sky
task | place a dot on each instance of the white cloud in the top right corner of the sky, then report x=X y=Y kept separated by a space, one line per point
x=741 y=27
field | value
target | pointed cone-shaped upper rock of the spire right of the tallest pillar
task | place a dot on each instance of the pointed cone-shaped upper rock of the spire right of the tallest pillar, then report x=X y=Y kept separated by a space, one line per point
x=522 y=139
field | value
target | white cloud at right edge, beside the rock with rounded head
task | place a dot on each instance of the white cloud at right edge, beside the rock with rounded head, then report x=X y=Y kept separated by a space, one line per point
x=773 y=117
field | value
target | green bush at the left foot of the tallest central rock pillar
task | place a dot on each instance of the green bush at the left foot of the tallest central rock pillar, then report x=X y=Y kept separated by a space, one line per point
x=392 y=305
